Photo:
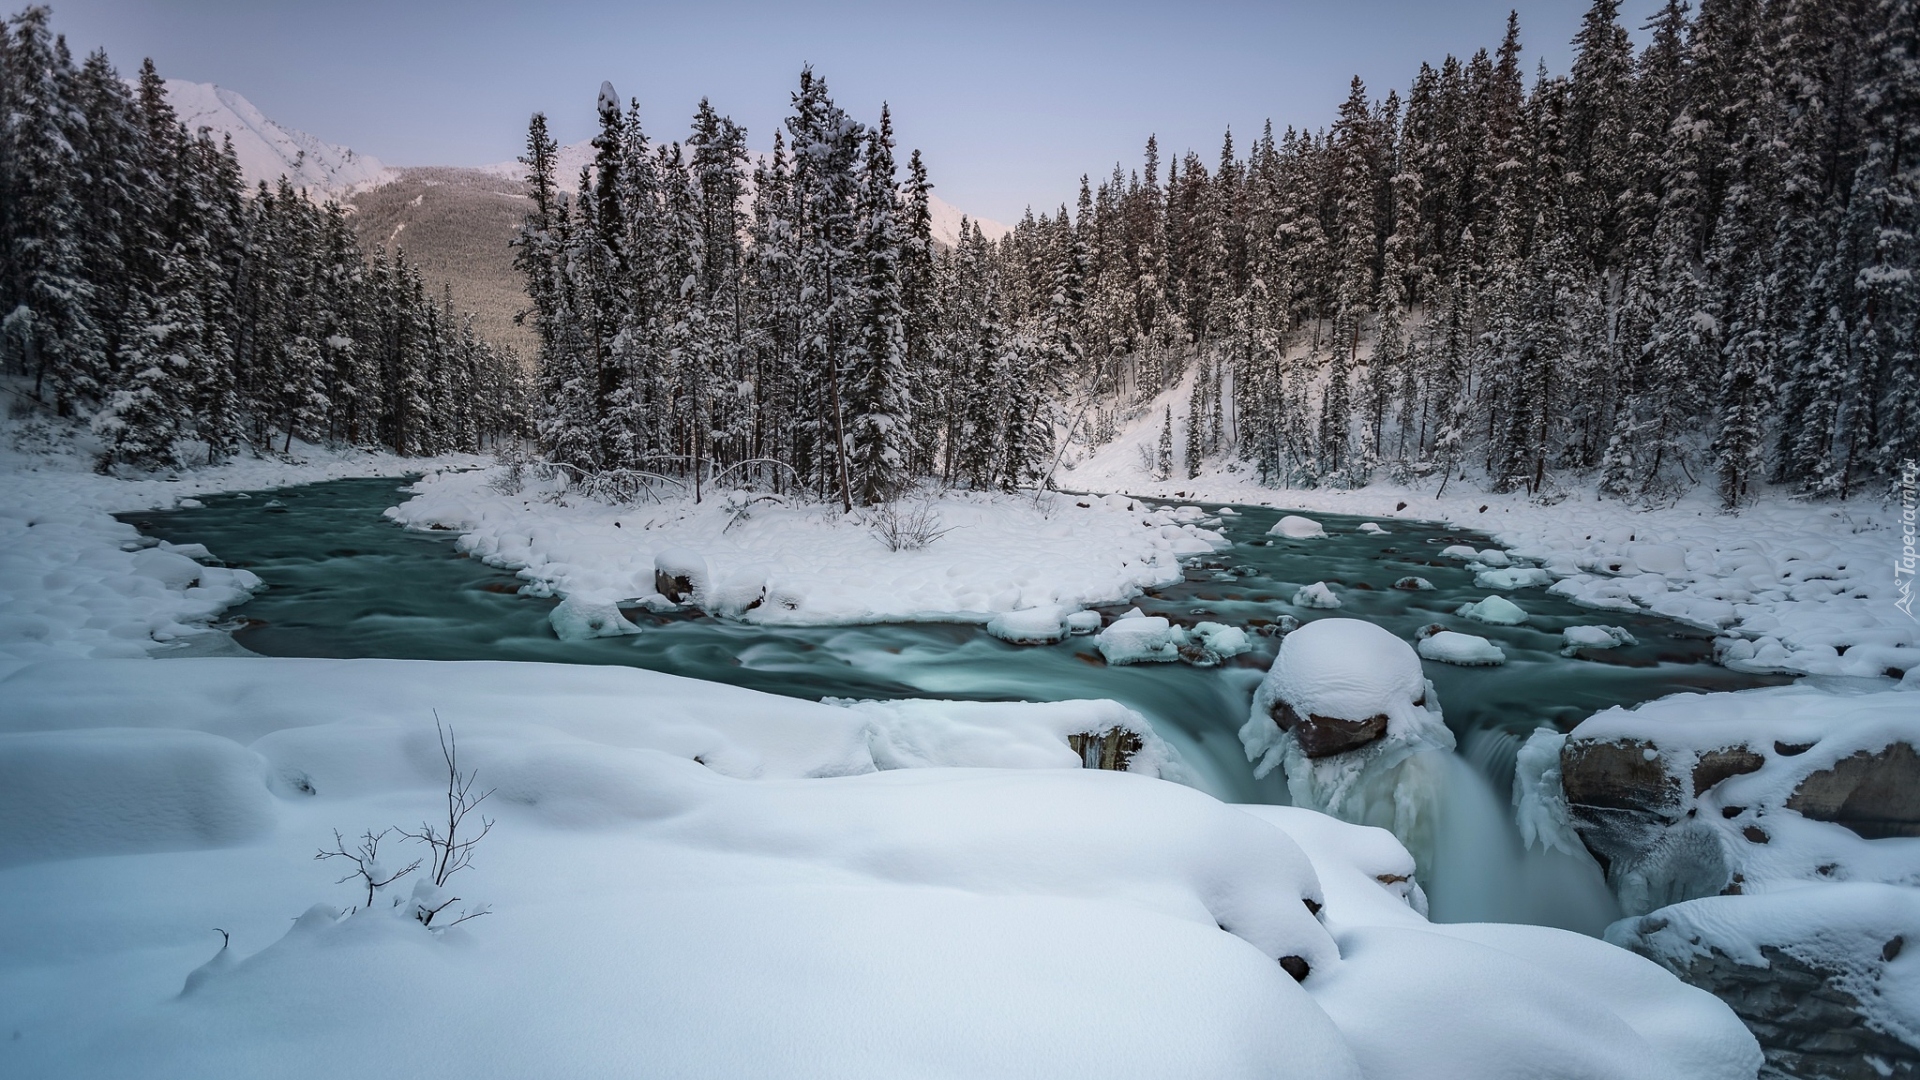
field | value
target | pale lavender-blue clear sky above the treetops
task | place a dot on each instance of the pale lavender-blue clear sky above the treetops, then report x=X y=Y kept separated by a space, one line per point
x=1009 y=103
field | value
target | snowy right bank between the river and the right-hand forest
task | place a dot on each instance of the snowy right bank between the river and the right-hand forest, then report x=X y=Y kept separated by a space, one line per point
x=1790 y=585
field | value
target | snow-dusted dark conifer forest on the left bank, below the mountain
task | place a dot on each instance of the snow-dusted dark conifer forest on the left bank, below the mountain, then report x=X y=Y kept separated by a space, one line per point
x=143 y=287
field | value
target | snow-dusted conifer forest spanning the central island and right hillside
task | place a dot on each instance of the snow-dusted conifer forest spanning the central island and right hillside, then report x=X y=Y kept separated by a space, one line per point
x=1675 y=266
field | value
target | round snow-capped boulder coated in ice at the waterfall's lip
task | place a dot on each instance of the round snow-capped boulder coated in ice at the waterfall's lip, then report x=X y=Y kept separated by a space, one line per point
x=1356 y=725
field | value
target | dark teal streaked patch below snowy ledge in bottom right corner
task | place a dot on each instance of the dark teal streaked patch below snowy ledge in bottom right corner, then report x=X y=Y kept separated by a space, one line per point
x=1810 y=1029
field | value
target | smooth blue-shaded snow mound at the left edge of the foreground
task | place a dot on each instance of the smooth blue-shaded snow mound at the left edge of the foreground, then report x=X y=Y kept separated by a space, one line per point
x=70 y=795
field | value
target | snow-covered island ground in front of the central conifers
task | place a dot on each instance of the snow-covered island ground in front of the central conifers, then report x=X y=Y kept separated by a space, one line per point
x=813 y=564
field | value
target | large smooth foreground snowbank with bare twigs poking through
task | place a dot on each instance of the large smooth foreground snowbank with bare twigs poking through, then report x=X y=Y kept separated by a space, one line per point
x=727 y=881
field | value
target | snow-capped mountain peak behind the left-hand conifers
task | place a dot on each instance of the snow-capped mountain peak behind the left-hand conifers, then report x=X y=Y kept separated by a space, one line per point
x=270 y=151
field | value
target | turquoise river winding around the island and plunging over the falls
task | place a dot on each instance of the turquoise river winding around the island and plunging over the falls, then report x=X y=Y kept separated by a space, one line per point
x=347 y=583
